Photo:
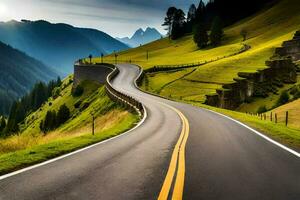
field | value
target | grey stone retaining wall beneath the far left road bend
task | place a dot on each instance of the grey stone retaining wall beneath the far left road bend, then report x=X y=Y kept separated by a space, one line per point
x=91 y=72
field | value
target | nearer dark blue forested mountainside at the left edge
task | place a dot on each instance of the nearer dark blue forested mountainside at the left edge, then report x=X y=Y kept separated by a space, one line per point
x=18 y=73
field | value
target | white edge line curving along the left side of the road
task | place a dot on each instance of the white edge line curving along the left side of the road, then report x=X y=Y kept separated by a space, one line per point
x=74 y=152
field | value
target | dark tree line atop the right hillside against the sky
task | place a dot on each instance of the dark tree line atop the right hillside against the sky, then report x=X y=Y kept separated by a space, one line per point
x=209 y=18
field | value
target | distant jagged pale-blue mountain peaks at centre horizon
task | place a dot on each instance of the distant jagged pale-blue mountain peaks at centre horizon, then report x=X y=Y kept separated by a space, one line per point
x=141 y=37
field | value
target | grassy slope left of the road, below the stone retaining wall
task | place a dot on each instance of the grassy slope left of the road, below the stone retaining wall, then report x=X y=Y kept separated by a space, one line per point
x=32 y=146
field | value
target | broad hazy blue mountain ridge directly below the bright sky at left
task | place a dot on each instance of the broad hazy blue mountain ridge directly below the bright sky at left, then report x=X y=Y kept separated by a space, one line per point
x=57 y=45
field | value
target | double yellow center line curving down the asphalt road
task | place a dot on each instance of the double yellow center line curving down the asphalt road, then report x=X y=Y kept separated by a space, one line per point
x=177 y=164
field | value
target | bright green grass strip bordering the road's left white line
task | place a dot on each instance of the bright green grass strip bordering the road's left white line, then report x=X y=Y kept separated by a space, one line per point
x=36 y=154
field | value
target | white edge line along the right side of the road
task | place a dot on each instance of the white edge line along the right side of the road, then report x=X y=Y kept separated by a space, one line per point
x=258 y=133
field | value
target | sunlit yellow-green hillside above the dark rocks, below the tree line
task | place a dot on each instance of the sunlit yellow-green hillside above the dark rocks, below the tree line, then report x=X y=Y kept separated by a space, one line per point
x=266 y=31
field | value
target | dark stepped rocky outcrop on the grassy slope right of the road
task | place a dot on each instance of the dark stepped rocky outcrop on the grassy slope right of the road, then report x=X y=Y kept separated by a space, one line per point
x=280 y=69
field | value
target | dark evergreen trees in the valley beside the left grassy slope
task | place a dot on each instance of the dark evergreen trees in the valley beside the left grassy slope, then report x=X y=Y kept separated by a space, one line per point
x=32 y=101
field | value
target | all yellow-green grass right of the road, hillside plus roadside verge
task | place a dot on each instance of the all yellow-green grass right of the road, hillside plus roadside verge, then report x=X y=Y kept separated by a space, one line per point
x=267 y=30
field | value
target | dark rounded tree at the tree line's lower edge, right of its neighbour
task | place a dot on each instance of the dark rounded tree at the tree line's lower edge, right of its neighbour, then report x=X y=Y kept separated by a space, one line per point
x=216 y=32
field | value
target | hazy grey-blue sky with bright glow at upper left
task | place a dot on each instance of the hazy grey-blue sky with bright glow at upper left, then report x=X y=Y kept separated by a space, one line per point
x=116 y=17
